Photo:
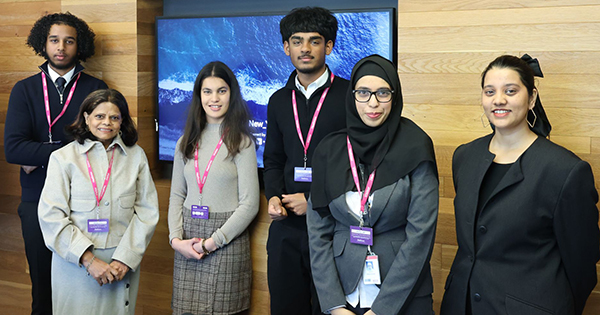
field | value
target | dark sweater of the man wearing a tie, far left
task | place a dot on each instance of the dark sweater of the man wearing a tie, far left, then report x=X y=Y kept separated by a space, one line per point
x=26 y=125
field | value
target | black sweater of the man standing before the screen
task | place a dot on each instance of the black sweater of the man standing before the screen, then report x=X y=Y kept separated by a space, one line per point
x=283 y=149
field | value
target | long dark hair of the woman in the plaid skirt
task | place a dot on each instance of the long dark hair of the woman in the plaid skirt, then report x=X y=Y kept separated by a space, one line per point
x=235 y=125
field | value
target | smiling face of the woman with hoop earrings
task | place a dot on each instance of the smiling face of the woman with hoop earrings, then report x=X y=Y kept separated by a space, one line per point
x=505 y=99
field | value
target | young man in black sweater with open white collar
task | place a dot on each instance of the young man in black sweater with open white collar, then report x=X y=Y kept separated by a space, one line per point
x=312 y=93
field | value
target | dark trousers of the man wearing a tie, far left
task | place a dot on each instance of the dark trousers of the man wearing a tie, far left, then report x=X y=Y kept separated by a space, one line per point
x=39 y=258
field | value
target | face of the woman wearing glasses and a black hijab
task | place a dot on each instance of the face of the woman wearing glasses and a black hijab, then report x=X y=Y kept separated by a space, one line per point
x=373 y=113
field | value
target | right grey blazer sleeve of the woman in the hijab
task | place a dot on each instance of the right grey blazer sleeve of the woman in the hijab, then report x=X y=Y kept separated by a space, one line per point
x=414 y=254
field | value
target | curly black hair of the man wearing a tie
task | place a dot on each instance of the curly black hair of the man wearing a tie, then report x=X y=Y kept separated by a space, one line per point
x=40 y=30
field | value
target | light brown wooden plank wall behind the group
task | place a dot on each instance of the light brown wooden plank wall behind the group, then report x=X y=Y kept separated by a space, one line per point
x=442 y=46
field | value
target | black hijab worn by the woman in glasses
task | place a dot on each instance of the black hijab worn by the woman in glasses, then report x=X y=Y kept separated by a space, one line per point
x=394 y=148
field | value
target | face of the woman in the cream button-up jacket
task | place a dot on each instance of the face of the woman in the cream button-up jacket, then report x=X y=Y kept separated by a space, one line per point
x=104 y=122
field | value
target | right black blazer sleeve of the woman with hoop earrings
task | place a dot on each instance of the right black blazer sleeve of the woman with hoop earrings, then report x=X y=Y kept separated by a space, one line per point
x=577 y=235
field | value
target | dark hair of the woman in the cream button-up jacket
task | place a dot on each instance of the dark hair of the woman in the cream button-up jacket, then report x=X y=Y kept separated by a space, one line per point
x=79 y=129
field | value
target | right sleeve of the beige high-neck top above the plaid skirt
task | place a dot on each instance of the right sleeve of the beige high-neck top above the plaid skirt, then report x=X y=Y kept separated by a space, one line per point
x=248 y=196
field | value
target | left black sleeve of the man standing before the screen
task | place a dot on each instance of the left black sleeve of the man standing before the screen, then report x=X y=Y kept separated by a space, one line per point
x=274 y=157
